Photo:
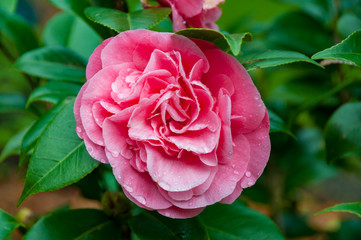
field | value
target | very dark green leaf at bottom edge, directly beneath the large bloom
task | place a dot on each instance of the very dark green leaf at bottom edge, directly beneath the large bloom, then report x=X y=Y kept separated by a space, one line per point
x=151 y=225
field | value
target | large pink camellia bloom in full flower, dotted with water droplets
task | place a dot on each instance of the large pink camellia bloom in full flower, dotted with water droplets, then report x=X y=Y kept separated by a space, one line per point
x=180 y=121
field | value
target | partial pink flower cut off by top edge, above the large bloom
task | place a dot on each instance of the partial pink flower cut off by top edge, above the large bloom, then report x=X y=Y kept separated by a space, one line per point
x=193 y=13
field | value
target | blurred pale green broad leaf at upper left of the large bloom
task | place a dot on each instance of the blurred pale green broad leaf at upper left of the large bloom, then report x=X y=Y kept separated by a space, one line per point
x=69 y=31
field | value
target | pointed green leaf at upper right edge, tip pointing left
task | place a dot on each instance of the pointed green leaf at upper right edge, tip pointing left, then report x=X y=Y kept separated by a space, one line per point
x=347 y=50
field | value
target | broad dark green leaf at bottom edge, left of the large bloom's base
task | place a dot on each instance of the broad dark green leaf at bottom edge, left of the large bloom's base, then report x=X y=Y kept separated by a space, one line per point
x=79 y=224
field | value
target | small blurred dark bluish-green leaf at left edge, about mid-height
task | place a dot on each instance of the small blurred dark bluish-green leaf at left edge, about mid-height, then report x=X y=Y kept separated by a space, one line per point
x=11 y=102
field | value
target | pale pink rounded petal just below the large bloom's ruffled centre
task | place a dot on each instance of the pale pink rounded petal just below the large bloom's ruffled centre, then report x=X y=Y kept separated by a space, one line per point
x=173 y=174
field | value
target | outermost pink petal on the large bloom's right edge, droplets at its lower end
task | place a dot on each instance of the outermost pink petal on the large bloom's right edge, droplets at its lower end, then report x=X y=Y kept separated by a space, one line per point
x=260 y=146
